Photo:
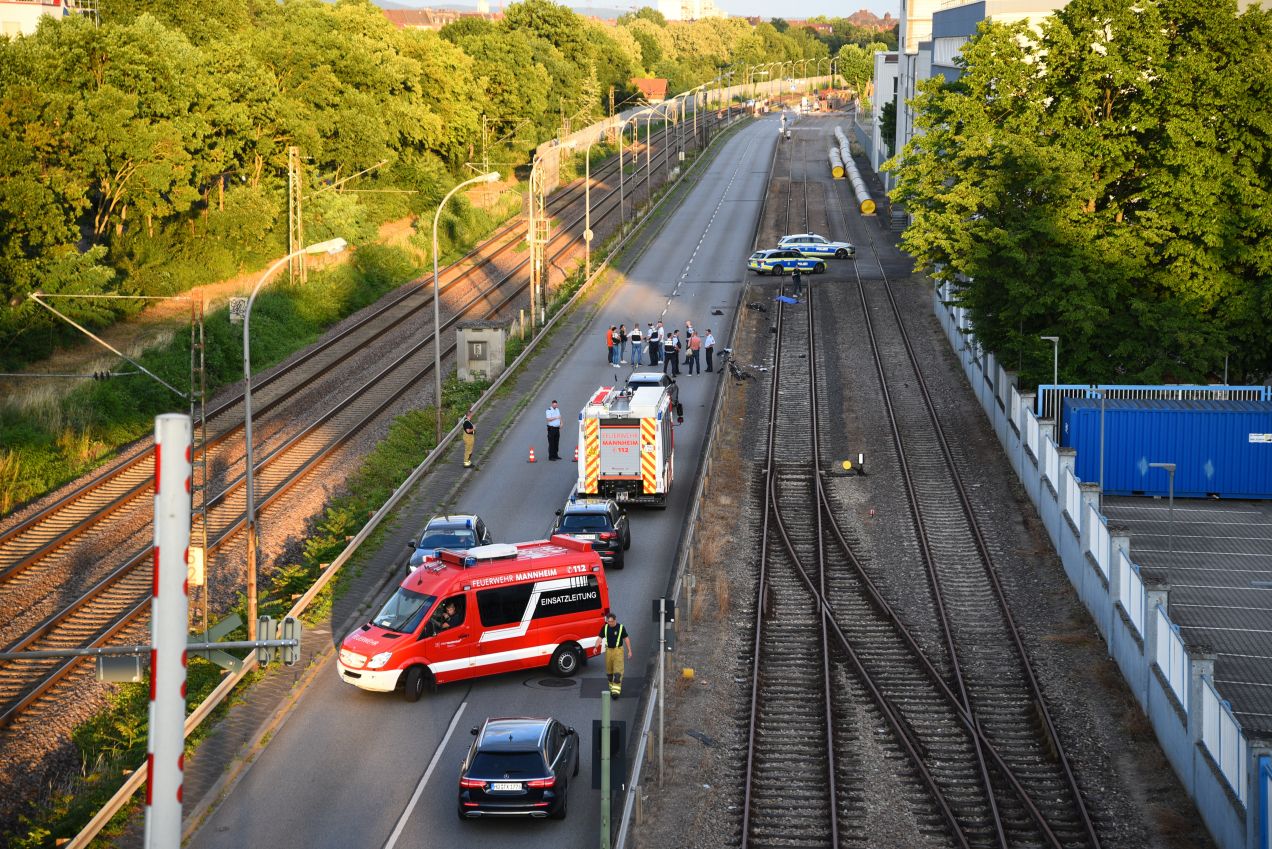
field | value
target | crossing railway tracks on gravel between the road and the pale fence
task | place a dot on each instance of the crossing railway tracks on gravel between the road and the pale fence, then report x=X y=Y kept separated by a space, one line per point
x=988 y=767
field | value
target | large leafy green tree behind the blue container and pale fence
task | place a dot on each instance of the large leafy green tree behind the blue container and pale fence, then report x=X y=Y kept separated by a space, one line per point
x=1101 y=181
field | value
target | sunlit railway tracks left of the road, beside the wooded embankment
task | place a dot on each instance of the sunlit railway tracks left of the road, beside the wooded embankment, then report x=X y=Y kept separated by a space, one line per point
x=121 y=598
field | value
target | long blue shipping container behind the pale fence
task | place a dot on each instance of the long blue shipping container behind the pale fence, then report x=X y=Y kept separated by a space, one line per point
x=1222 y=449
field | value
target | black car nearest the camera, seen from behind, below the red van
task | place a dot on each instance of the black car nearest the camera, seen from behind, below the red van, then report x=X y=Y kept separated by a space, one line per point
x=518 y=767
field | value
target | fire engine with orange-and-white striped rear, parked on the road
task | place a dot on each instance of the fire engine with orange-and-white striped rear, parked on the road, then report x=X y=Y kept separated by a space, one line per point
x=626 y=442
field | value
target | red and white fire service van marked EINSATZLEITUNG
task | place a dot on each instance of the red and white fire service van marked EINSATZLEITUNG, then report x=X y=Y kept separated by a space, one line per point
x=492 y=609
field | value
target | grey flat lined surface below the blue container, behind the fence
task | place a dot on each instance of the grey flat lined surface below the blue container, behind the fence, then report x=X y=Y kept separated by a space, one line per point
x=1219 y=566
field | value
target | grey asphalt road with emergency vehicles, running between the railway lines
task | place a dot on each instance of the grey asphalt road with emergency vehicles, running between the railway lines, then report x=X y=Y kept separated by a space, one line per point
x=358 y=769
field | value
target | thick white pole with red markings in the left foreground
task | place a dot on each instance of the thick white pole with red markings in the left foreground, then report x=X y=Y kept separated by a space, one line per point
x=169 y=627
